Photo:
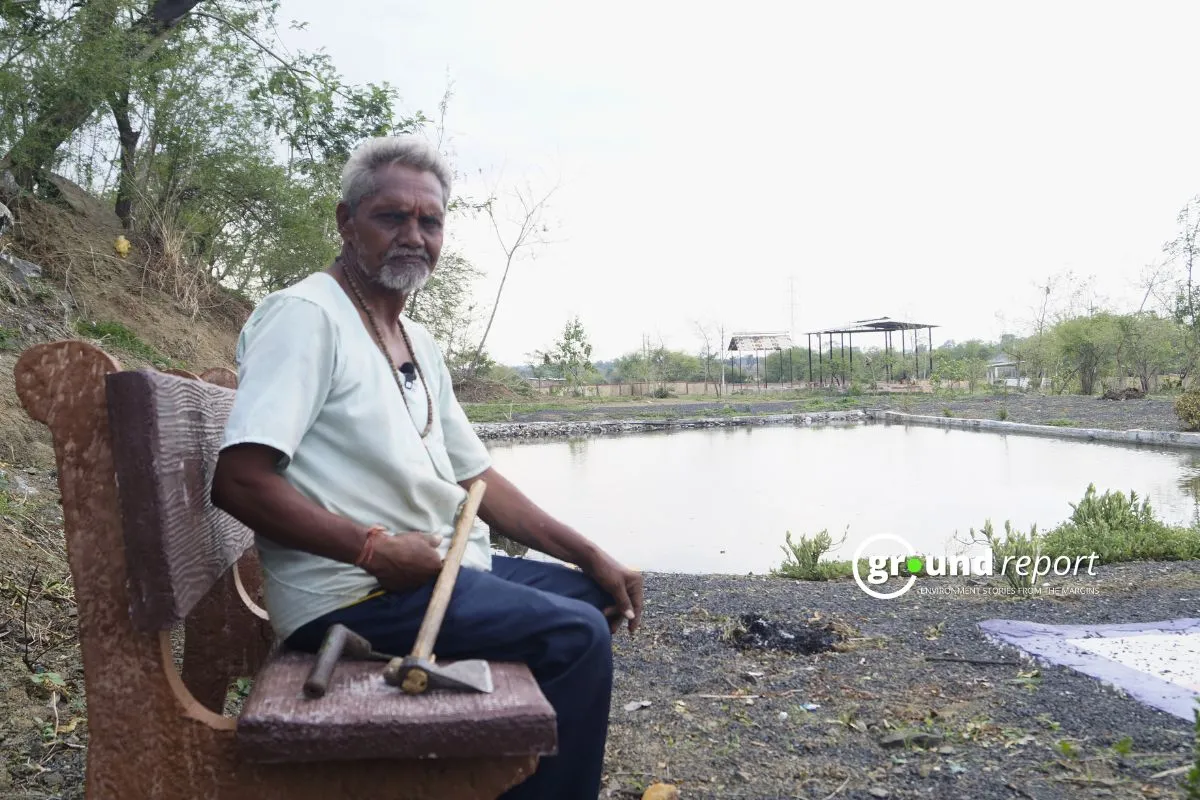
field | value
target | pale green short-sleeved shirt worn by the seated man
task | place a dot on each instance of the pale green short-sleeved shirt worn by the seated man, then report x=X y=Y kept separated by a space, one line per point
x=314 y=386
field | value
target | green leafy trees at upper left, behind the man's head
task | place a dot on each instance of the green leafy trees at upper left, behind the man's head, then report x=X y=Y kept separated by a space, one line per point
x=230 y=161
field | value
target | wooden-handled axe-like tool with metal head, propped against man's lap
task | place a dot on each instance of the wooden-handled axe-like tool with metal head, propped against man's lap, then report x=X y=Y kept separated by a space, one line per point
x=417 y=672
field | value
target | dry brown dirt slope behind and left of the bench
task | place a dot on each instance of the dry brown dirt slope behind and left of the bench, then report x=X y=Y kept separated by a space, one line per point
x=142 y=310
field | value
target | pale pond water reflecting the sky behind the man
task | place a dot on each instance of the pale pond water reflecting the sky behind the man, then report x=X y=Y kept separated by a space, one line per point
x=721 y=500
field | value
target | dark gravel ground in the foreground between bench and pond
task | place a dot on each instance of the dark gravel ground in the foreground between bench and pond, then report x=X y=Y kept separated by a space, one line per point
x=999 y=727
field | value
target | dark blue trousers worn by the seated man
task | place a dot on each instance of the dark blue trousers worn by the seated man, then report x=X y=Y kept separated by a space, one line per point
x=545 y=616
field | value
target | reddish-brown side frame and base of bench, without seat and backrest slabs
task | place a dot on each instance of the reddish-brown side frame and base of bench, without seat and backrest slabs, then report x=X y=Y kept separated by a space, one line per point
x=148 y=736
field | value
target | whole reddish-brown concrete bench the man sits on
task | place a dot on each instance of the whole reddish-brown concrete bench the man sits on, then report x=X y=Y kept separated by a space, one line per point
x=148 y=552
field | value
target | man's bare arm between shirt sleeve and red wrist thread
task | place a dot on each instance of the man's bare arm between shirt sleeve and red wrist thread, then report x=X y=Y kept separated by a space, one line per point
x=248 y=489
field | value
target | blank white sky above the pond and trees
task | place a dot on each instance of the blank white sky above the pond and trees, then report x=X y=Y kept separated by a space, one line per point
x=913 y=160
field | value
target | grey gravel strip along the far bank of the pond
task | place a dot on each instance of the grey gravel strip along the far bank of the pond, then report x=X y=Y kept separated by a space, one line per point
x=1151 y=414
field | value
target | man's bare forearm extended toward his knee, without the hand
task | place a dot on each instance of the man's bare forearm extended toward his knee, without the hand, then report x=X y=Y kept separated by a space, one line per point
x=511 y=513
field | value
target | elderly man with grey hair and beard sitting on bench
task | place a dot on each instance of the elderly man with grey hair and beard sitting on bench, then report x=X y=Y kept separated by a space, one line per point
x=349 y=455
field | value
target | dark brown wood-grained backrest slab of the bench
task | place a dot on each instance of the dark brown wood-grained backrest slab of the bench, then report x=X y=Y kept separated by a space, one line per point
x=167 y=434
